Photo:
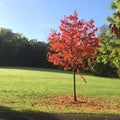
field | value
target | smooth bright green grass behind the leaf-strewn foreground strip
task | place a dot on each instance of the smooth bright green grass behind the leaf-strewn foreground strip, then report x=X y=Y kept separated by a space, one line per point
x=49 y=82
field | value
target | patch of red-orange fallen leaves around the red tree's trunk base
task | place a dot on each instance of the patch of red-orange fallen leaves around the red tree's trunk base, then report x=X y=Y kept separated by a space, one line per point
x=65 y=104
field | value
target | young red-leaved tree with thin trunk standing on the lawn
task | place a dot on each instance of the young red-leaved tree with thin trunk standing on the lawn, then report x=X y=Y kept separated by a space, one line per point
x=75 y=43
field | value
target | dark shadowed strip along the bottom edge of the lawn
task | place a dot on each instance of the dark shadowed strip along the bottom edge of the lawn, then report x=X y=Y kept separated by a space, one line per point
x=8 y=114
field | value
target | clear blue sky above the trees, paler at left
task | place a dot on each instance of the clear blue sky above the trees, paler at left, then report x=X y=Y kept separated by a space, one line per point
x=35 y=18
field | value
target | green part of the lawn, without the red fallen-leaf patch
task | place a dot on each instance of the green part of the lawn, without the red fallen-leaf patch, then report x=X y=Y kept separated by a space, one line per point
x=29 y=88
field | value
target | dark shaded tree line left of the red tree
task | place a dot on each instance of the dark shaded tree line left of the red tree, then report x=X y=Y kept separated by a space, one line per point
x=17 y=50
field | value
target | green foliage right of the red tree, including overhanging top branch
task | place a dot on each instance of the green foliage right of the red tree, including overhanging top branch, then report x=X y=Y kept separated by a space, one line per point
x=107 y=59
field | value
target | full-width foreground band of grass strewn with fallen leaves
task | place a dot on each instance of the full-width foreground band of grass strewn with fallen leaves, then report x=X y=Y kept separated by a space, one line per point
x=64 y=104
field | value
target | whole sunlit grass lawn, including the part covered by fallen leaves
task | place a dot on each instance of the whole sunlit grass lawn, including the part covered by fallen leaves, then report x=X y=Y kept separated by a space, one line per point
x=45 y=90
